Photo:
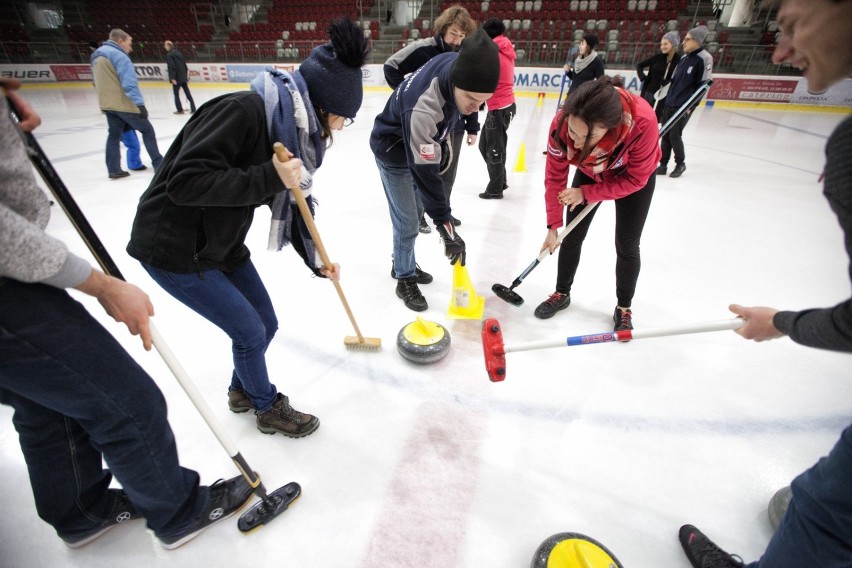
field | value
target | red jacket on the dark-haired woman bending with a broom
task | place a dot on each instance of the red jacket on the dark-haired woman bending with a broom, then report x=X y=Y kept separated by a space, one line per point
x=628 y=171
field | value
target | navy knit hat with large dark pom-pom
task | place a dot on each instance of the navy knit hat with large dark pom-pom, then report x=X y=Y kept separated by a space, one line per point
x=333 y=70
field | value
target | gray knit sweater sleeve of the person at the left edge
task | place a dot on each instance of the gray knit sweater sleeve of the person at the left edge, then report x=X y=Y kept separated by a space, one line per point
x=27 y=253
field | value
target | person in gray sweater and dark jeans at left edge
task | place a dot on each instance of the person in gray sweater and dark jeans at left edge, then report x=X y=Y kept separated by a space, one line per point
x=79 y=398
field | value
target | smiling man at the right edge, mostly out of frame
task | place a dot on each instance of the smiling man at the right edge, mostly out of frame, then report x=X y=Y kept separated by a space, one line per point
x=814 y=513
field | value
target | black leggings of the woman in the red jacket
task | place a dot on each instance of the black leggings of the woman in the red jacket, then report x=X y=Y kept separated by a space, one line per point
x=630 y=215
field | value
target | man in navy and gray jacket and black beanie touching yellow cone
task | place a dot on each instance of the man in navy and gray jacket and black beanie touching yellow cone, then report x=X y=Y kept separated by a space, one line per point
x=407 y=141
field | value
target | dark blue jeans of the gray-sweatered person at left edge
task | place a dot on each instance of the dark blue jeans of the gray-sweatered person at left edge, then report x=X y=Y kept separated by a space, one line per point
x=79 y=398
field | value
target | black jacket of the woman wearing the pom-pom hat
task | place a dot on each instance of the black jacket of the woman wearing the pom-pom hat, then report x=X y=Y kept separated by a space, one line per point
x=200 y=205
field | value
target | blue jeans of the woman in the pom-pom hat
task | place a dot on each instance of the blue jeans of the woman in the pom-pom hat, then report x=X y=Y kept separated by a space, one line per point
x=237 y=303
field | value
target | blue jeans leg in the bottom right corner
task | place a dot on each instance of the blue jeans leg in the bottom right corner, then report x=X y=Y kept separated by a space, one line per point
x=817 y=529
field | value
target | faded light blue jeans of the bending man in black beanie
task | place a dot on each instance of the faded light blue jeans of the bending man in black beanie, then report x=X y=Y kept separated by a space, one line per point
x=406 y=209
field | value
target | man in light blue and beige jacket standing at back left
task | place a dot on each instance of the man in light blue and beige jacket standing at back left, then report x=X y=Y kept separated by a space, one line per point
x=121 y=100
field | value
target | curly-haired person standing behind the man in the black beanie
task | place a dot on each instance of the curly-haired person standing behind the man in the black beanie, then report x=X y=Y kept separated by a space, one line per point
x=451 y=27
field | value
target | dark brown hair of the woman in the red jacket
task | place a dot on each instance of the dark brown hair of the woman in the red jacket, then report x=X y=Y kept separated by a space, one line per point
x=596 y=103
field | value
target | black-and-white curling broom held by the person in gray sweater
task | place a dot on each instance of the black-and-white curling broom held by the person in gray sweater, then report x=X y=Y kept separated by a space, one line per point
x=271 y=504
